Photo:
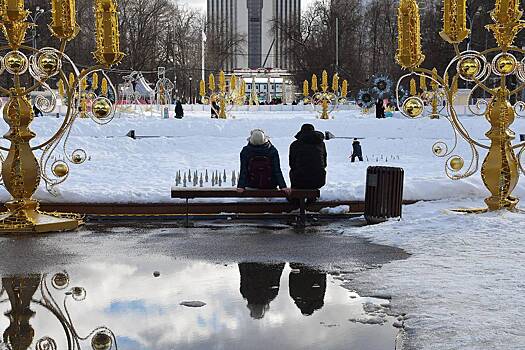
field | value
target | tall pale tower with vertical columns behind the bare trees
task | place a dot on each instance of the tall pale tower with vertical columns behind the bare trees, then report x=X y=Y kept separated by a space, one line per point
x=262 y=24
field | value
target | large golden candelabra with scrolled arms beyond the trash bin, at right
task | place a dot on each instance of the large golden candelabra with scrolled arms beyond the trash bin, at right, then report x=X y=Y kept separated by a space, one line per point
x=501 y=167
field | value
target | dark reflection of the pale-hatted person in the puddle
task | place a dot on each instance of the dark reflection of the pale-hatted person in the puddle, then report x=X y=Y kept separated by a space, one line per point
x=260 y=285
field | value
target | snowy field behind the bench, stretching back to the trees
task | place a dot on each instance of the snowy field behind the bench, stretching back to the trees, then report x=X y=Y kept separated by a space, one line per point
x=124 y=170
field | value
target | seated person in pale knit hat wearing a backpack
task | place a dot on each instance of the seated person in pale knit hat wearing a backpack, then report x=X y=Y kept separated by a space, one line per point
x=260 y=164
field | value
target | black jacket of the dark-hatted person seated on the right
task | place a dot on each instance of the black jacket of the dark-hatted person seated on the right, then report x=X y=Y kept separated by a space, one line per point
x=308 y=160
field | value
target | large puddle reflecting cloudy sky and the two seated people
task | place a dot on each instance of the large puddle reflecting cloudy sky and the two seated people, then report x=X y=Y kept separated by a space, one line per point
x=182 y=304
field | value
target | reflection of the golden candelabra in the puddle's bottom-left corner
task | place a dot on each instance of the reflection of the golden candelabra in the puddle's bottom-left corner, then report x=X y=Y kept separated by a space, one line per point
x=21 y=293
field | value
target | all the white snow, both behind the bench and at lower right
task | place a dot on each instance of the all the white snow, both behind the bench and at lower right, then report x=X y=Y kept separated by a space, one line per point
x=464 y=283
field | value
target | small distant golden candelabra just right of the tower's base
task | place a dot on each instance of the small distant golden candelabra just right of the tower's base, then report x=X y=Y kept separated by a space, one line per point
x=327 y=98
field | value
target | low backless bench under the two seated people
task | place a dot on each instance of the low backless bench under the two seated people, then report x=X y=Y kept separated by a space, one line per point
x=192 y=193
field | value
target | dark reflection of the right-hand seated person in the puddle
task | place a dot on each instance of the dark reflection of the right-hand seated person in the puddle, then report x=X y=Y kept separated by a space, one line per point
x=307 y=288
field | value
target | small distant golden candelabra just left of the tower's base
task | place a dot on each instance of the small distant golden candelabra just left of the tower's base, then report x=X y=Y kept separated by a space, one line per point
x=226 y=95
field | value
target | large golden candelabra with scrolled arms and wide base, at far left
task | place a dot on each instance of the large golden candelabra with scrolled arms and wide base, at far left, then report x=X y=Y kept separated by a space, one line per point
x=21 y=171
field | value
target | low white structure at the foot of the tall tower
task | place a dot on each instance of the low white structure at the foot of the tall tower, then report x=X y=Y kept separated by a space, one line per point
x=270 y=84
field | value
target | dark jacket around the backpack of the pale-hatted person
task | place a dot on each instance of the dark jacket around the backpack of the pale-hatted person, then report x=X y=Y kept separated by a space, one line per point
x=267 y=150
